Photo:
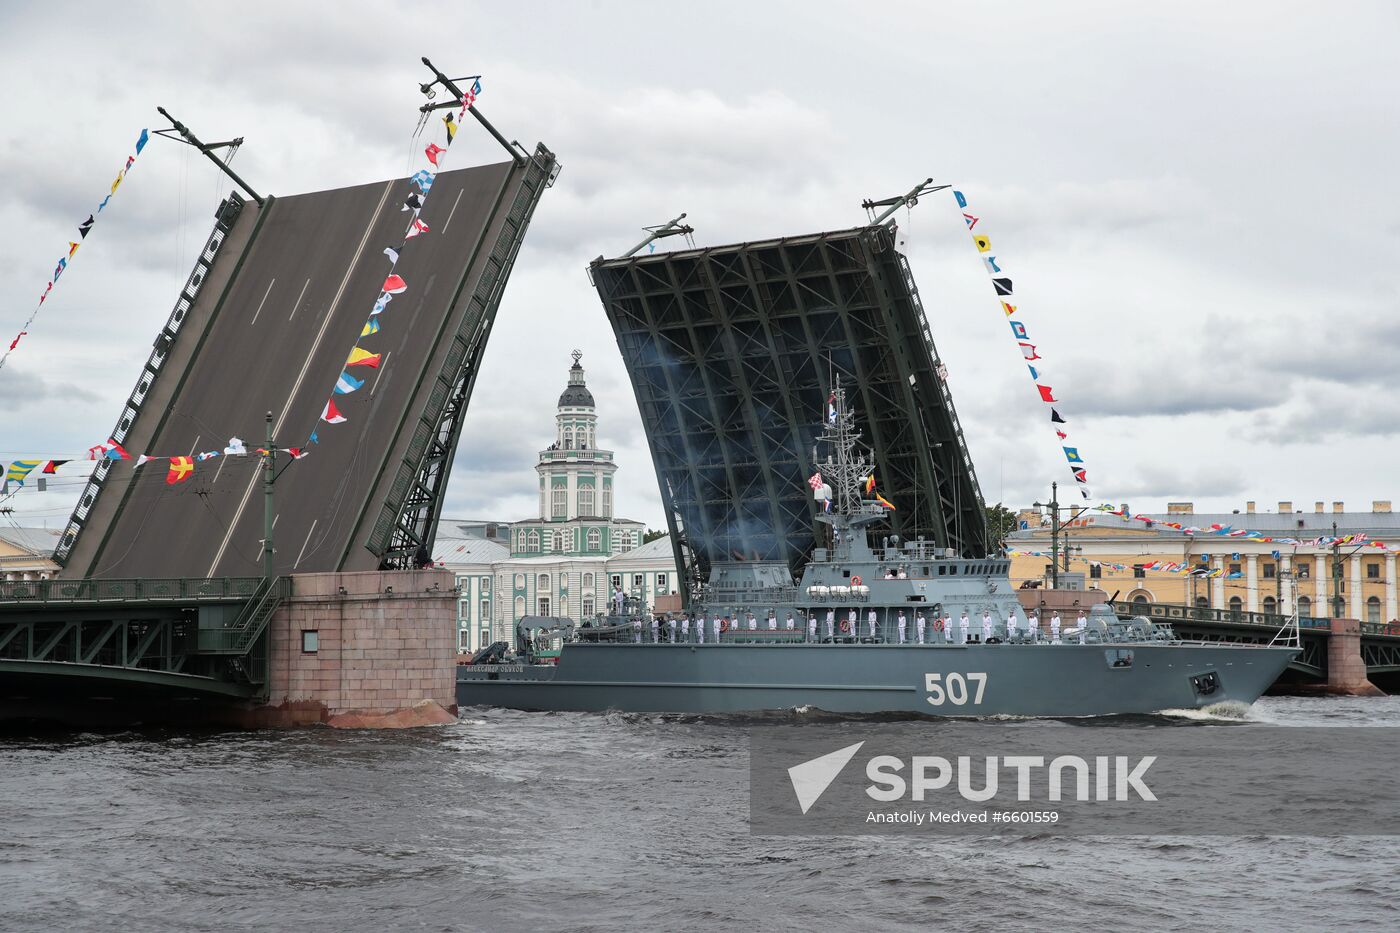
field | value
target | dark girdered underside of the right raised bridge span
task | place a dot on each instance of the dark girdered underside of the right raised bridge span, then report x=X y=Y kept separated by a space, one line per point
x=733 y=352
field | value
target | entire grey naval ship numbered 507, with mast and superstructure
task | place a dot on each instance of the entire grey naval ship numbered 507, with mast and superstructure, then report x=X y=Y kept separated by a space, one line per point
x=891 y=628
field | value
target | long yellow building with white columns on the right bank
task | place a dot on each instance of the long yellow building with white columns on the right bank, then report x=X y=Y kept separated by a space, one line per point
x=1234 y=574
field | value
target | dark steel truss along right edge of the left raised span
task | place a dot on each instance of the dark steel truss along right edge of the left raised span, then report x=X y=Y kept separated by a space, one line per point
x=411 y=512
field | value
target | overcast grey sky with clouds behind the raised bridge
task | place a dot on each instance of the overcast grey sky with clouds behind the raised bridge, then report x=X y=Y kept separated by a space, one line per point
x=1199 y=205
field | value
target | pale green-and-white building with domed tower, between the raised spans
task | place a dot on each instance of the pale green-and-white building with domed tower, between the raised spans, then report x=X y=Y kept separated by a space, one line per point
x=568 y=560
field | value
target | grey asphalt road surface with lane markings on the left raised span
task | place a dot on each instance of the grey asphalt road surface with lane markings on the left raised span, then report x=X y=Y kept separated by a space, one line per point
x=295 y=303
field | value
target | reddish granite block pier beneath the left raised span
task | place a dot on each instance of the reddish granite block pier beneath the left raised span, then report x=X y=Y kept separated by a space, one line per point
x=363 y=651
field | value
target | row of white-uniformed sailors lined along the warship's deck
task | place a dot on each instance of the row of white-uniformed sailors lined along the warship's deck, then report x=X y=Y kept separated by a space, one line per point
x=944 y=630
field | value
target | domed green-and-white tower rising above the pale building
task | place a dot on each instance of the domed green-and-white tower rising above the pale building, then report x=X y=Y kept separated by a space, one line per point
x=576 y=485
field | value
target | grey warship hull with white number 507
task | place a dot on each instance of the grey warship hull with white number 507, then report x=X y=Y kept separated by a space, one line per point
x=934 y=680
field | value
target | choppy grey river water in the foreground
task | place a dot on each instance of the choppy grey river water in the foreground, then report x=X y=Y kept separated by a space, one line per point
x=594 y=823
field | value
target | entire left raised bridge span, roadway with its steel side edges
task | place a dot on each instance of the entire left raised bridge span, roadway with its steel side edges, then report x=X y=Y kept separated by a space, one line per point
x=264 y=324
